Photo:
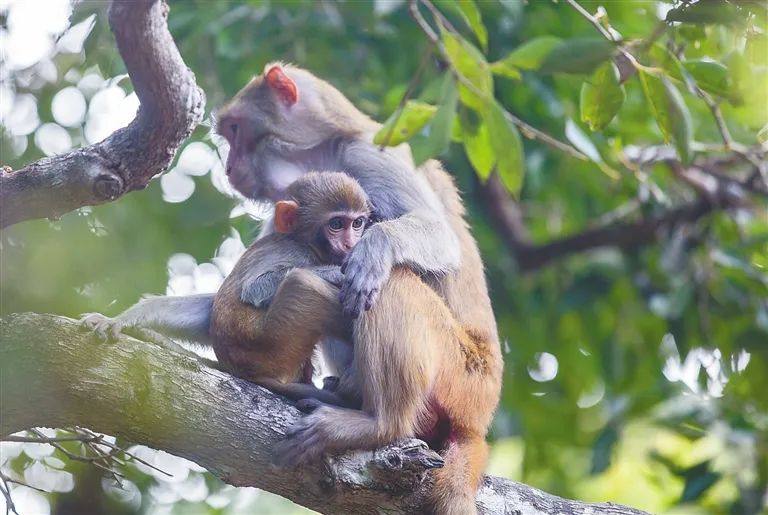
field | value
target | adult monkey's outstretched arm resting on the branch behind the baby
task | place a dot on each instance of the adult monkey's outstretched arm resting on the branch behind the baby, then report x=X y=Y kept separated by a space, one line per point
x=185 y=318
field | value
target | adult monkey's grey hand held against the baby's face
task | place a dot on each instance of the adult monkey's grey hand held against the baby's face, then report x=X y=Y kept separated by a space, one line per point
x=366 y=269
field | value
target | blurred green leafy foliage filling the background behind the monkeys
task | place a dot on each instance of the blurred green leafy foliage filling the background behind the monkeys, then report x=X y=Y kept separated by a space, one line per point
x=634 y=375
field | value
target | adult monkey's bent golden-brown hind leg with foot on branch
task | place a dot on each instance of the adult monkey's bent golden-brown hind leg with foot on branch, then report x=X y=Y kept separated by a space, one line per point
x=395 y=359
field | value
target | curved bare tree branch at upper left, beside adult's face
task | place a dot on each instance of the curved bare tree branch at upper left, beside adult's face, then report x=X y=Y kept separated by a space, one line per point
x=171 y=107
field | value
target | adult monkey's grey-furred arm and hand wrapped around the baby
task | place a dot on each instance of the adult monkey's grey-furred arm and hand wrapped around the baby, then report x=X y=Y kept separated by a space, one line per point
x=415 y=231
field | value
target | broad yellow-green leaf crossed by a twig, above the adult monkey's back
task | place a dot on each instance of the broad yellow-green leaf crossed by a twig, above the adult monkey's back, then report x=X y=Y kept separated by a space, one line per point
x=471 y=64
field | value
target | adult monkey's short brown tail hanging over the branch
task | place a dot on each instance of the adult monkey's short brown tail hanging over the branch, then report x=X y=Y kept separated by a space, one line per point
x=456 y=483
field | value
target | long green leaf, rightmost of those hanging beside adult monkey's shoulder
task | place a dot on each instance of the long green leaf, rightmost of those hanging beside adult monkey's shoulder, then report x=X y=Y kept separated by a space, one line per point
x=507 y=147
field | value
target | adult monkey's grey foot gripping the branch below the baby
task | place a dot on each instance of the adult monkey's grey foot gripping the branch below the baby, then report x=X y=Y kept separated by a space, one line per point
x=308 y=439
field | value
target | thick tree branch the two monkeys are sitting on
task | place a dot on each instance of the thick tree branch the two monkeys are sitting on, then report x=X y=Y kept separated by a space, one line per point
x=52 y=374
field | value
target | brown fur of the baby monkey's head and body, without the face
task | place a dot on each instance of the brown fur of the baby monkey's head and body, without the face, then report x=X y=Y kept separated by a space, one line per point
x=273 y=347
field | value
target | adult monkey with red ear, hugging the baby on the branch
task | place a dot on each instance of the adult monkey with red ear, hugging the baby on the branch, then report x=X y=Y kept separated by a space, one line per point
x=427 y=356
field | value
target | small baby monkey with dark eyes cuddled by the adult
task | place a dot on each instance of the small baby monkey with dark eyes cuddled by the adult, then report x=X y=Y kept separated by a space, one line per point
x=258 y=328
